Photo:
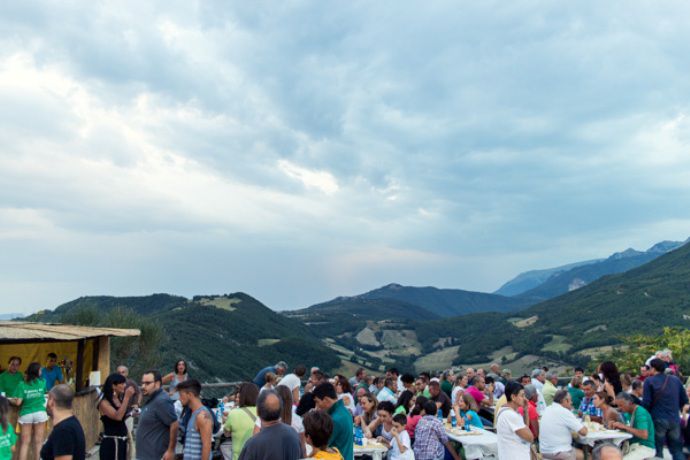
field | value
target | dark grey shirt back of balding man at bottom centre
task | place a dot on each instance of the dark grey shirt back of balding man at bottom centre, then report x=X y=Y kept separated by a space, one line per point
x=275 y=442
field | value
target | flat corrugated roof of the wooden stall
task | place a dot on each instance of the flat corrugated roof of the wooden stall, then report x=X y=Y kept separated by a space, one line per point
x=14 y=330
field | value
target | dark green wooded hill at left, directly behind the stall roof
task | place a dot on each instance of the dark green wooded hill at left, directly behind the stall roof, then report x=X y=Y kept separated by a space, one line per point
x=222 y=338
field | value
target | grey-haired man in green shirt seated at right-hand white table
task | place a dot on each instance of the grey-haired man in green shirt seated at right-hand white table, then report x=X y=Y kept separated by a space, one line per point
x=641 y=427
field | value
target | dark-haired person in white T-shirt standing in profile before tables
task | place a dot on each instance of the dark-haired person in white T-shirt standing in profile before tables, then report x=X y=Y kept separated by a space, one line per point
x=512 y=430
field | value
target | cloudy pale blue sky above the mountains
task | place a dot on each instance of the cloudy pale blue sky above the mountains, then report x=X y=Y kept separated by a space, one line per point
x=298 y=151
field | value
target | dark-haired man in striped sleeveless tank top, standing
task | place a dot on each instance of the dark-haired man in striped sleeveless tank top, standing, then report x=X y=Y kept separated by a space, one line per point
x=199 y=430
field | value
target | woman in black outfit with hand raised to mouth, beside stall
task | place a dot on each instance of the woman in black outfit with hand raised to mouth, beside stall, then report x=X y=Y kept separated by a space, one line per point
x=112 y=406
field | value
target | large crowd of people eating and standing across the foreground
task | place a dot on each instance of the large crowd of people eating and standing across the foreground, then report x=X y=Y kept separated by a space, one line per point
x=291 y=415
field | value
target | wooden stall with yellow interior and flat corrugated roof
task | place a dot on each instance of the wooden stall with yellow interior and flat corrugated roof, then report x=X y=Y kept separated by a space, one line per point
x=83 y=352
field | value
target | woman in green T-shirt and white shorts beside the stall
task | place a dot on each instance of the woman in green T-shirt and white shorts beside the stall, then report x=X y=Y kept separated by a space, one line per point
x=31 y=397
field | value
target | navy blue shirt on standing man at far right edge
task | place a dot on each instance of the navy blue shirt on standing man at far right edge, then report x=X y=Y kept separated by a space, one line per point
x=667 y=404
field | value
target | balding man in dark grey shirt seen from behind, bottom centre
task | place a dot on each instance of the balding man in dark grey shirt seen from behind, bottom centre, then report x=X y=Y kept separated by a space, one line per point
x=276 y=440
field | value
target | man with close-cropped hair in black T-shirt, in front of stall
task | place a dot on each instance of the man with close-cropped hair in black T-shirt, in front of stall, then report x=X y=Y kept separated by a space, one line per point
x=66 y=440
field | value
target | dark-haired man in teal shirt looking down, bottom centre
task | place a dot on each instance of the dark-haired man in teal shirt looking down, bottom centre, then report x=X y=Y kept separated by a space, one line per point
x=342 y=437
